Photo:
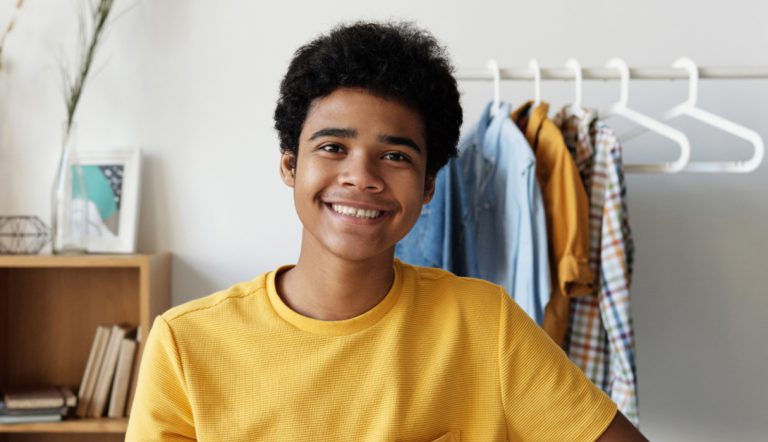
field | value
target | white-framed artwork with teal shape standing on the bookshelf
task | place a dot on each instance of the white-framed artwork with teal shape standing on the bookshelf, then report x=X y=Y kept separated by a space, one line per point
x=112 y=183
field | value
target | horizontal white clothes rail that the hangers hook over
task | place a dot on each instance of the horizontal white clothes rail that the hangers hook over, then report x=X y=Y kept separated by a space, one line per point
x=603 y=73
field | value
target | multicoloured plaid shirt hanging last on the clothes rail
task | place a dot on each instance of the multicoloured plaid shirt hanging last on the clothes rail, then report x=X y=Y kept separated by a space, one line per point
x=601 y=339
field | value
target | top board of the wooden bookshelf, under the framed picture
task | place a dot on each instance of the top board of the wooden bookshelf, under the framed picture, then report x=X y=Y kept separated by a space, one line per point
x=59 y=261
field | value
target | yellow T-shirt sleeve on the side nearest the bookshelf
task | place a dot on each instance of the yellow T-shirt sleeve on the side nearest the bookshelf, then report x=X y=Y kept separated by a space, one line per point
x=161 y=409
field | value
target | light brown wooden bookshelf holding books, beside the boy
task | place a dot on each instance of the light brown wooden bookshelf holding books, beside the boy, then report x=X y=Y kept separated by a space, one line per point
x=50 y=307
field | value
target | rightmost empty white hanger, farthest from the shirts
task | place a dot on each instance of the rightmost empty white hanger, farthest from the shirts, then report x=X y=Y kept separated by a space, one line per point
x=689 y=108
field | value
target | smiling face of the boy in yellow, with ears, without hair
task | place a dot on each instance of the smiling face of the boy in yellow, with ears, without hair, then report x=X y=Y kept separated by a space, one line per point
x=360 y=177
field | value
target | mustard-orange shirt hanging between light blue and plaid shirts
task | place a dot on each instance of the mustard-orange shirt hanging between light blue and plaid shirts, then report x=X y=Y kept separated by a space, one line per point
x=567 y=209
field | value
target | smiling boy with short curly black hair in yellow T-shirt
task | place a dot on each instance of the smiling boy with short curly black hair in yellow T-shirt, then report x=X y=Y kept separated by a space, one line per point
x=350 y=343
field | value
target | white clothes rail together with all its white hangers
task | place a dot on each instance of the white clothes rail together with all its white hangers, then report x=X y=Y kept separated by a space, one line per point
x=617 y=69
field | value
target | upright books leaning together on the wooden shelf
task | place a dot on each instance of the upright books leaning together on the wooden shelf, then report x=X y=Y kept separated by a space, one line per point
x=110 y=373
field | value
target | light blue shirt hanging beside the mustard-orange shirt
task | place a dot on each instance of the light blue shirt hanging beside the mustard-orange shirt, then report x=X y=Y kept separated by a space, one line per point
x=507 y=210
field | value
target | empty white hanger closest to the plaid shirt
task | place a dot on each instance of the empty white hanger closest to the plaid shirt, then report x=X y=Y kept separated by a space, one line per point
x=620 y=108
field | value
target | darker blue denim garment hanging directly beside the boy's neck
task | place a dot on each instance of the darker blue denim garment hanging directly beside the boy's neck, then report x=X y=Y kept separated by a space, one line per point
x=443 y=237
